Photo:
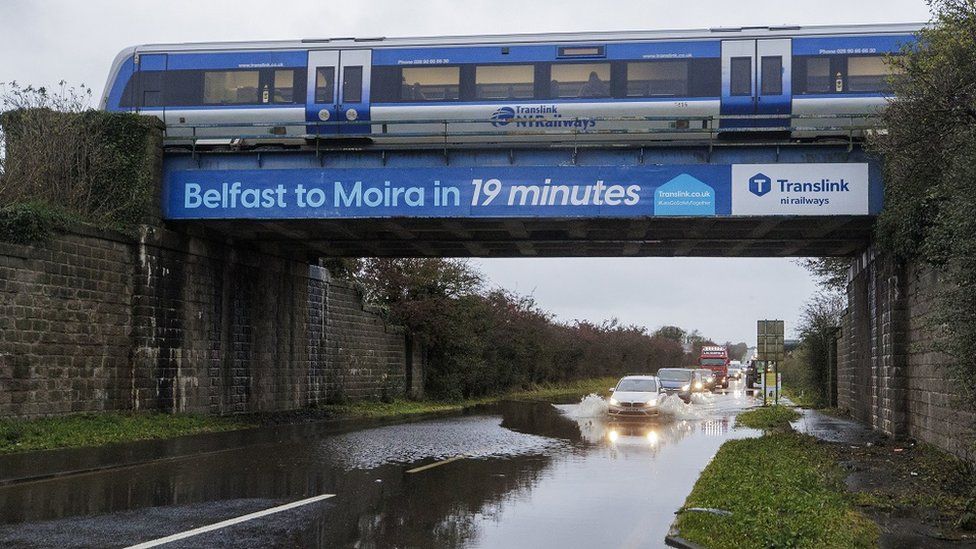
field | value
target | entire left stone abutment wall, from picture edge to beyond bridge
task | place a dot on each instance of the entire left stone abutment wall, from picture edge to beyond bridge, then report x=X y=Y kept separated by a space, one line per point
x=93 y=321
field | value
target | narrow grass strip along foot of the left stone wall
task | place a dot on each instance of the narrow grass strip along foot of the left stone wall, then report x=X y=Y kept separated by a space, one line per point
x=81 y=430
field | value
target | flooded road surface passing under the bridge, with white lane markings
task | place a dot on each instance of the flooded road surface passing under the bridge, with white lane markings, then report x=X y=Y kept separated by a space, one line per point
x=520 y=474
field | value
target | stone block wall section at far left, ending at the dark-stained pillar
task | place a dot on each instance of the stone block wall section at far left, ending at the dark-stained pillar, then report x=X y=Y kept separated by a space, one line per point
x=64 y=325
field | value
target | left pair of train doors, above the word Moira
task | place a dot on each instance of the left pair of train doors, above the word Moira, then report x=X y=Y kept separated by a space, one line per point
x=338 y=91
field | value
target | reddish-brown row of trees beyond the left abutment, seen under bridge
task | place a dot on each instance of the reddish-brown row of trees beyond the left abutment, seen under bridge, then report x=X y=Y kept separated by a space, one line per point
x=480 y=342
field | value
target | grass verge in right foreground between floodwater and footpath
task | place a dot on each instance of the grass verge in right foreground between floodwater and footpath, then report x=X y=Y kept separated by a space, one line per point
x=783 y=490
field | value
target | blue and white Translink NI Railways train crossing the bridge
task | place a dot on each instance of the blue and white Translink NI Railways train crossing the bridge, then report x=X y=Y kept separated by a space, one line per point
x=809 y=81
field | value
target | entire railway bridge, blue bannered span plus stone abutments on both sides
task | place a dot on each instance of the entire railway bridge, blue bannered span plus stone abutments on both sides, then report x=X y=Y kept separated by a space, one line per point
x=230 y=311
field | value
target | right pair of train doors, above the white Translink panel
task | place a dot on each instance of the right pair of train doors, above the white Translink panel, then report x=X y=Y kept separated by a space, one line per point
x=756 y=81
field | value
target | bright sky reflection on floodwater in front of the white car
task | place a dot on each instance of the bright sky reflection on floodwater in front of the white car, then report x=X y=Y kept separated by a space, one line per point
x=623 y=481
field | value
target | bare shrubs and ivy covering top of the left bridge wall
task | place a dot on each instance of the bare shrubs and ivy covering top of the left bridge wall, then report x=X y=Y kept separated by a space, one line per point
x=63 y=161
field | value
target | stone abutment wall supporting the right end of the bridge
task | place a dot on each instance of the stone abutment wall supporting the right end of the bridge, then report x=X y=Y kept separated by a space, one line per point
x=889 y=376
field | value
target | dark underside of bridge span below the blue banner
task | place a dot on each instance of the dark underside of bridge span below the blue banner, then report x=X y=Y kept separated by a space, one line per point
x=708 y=237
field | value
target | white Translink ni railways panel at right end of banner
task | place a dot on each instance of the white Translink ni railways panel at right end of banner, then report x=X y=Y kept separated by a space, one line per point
x=800 y=189
